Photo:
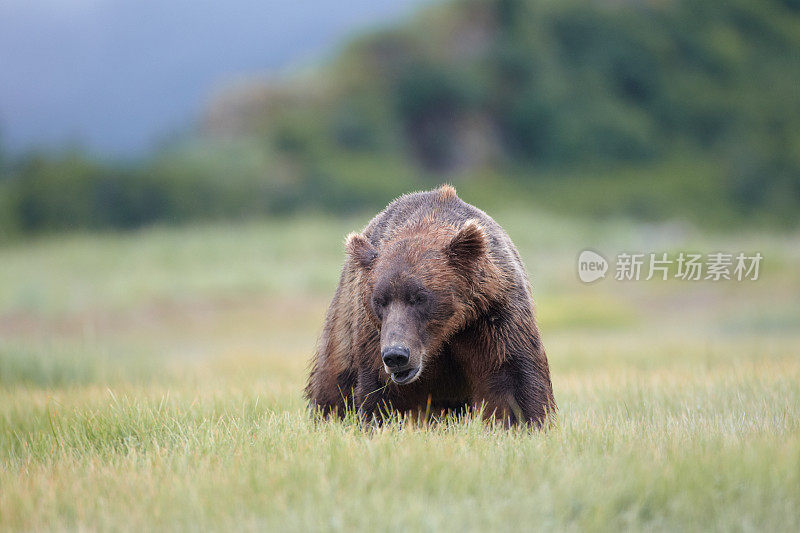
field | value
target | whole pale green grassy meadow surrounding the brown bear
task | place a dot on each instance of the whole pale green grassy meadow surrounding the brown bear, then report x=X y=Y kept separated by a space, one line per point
x=153 y=380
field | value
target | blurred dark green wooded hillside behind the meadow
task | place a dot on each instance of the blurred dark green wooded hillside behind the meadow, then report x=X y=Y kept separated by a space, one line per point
x=651 y=109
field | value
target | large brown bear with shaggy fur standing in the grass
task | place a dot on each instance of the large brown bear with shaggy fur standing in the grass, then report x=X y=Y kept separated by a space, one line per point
x=433 y=311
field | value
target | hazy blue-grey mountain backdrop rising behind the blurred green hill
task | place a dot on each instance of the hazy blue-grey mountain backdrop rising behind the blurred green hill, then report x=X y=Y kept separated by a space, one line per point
x=113 y=75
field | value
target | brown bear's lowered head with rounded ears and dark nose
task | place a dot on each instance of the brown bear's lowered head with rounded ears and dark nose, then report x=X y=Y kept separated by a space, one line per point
x=419 y=288
